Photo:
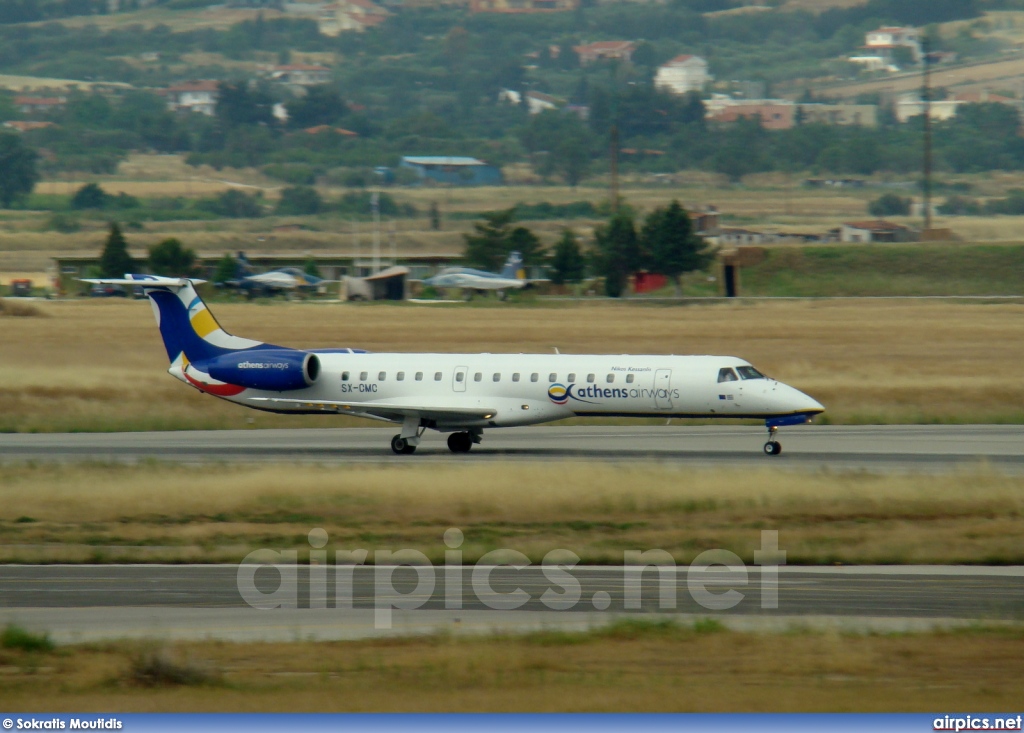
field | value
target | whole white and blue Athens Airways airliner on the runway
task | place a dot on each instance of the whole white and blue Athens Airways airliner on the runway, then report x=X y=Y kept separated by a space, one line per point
x=460 y=395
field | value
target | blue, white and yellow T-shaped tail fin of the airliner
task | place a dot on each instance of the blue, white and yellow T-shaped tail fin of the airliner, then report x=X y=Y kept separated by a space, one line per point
x=186 y=323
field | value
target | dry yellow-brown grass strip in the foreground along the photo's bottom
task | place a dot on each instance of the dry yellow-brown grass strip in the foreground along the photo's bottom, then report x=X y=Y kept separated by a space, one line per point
x=628 y=669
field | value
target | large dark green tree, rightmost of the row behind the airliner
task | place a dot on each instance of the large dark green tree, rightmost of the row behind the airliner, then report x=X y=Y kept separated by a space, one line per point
x=672 y=246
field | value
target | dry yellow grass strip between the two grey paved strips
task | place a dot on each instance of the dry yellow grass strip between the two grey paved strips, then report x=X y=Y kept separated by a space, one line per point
x=221 y=513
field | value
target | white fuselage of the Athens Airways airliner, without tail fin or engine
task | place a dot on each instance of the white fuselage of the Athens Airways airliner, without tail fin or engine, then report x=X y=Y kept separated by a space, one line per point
x=524 y=390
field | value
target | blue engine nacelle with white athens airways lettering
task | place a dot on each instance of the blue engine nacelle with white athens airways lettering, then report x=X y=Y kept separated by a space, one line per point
x=276 y=371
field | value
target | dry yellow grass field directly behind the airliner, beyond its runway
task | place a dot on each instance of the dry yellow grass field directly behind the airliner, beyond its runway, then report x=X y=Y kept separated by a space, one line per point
x=101 y=365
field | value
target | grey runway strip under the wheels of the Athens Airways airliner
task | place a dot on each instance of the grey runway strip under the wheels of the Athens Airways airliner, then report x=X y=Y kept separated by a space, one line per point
x=862 y=448
